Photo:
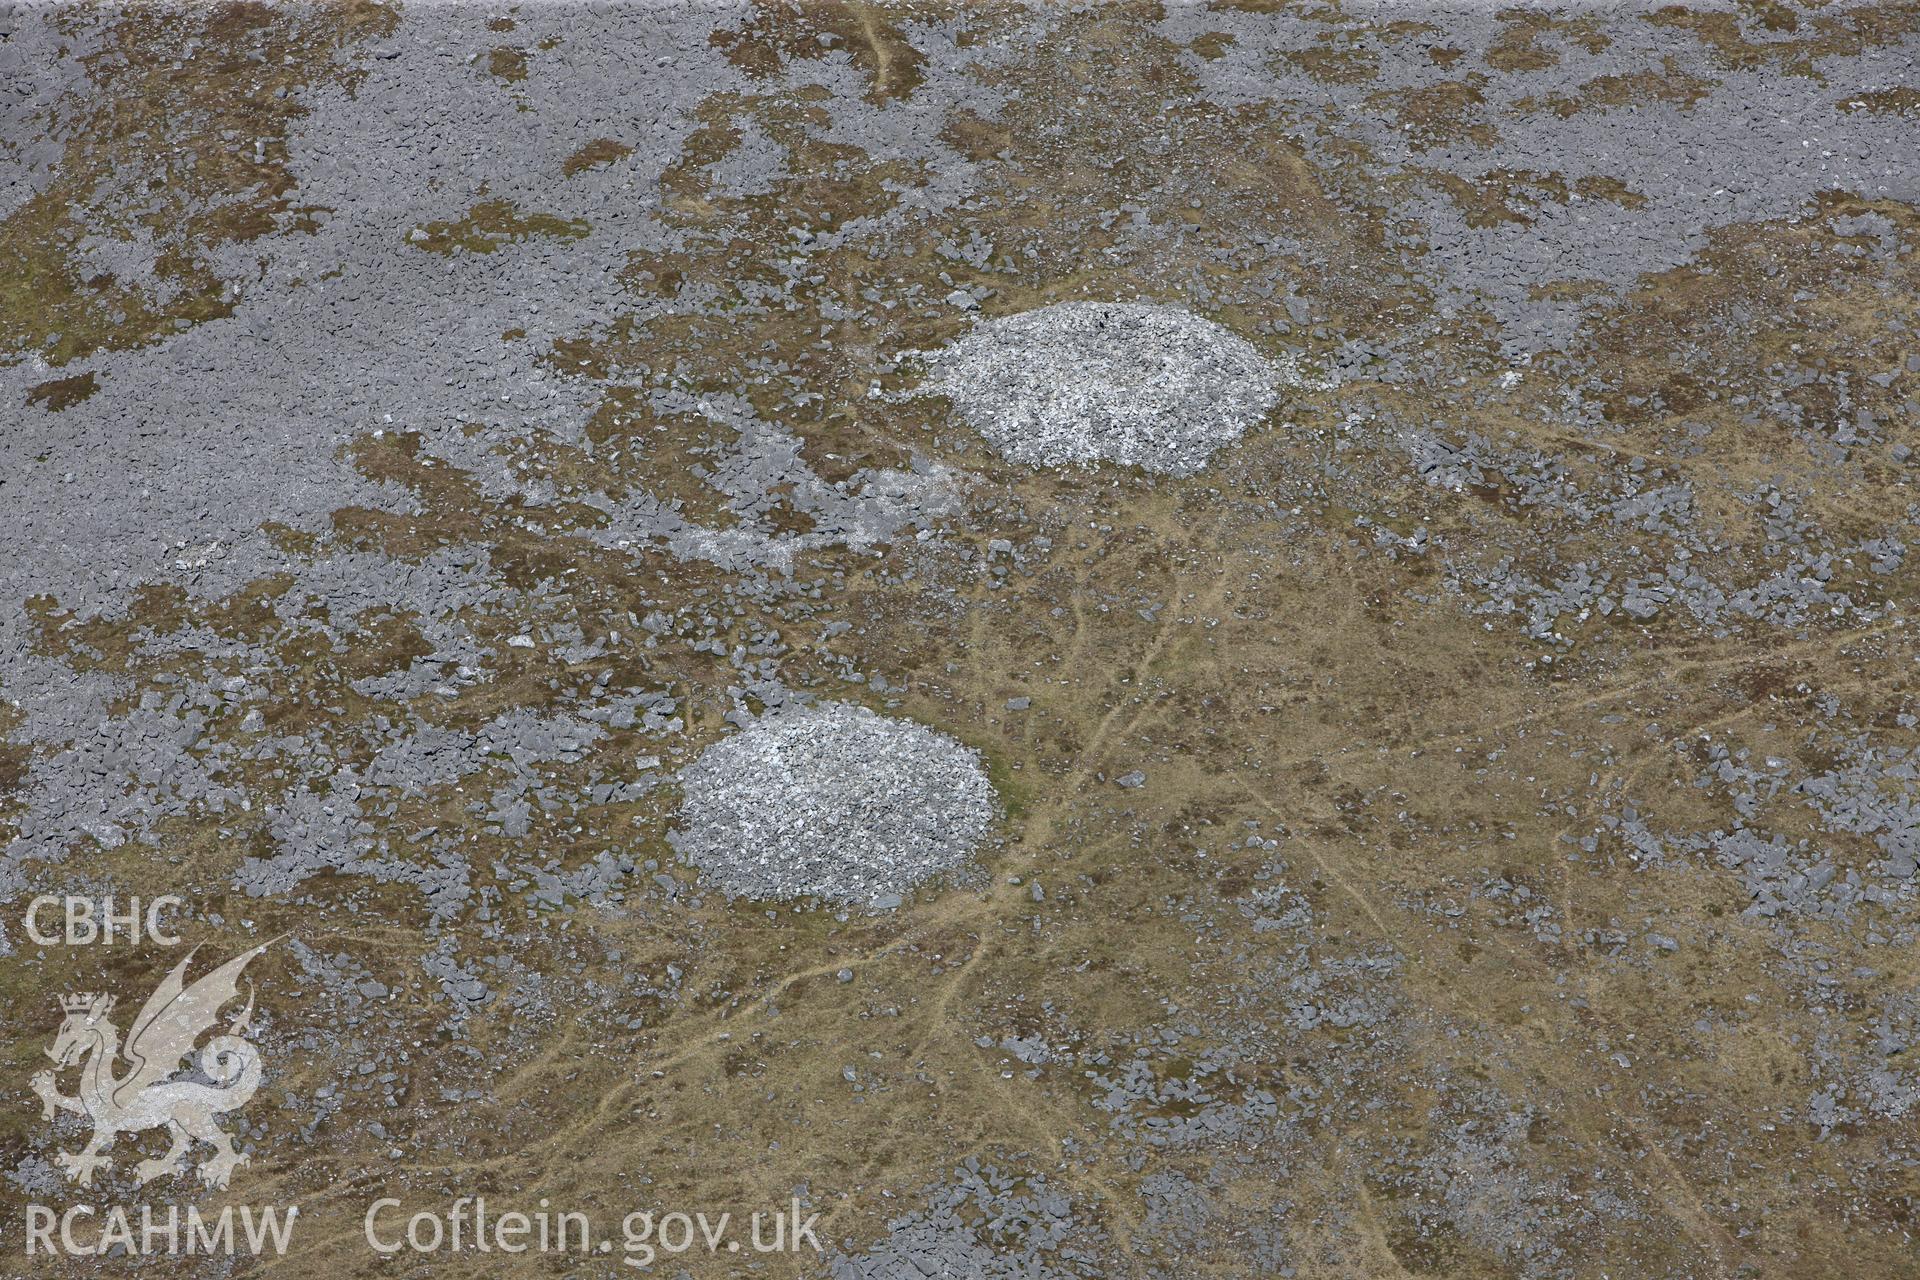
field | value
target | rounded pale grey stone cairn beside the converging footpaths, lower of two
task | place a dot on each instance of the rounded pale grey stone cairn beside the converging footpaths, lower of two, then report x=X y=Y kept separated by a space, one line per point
x=834 y=803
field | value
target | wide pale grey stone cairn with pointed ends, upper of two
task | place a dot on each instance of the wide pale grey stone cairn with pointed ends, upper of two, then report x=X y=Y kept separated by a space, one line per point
x=1122 y=383
